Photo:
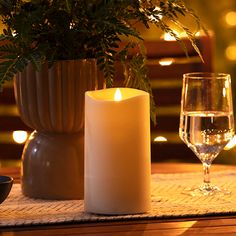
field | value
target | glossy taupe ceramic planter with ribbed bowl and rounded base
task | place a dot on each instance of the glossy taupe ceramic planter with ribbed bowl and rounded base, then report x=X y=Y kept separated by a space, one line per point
x=51 y=101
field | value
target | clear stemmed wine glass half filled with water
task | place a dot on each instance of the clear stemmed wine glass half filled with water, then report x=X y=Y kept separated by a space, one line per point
x=206 y=121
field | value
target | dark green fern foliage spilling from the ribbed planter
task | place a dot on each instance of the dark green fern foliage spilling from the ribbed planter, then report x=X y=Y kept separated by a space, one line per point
x=37 y=31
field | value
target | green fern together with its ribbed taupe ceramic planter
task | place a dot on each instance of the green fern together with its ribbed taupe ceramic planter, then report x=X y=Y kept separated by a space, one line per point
x=40 y=40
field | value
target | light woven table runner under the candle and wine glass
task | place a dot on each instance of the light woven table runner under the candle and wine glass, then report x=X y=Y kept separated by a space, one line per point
x=167 y=202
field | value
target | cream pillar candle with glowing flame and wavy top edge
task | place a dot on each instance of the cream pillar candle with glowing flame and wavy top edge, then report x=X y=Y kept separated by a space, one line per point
x=117 y=151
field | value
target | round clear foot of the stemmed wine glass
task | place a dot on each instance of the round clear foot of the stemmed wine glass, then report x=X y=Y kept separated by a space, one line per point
x=206 y=190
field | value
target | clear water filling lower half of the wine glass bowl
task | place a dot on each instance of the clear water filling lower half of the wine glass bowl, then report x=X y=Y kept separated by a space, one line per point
x=206 y=133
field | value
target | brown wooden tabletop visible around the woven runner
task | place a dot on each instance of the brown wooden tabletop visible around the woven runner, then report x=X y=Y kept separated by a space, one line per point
x=179 y=226
